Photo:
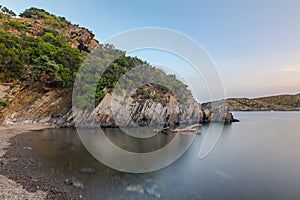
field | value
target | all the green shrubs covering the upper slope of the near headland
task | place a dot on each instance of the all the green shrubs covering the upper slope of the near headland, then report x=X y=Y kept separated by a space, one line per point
x=36 y=48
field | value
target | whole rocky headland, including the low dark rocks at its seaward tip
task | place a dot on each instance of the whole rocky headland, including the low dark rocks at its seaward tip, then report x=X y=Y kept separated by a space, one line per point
x=33 y=100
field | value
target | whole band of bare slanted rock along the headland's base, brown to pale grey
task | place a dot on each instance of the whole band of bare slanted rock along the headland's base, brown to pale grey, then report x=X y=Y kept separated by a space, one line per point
x=29 y=105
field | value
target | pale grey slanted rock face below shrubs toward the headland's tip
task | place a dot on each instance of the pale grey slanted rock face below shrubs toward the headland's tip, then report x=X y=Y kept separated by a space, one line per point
x=138 y=110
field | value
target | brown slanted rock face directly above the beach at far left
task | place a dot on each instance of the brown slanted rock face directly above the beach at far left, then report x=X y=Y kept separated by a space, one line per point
x=29 y=105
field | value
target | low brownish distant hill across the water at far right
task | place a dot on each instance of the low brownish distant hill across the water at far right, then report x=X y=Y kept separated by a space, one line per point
x=276 y=103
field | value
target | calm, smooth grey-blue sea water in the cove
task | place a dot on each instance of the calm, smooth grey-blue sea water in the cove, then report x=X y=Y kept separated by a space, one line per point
x=257 y=158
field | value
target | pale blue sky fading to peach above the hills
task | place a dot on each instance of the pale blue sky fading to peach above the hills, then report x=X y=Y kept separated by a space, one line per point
x=254 y=44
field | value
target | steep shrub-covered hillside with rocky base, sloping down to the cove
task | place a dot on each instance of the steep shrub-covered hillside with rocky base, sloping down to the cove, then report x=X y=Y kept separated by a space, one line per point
x=40 y=57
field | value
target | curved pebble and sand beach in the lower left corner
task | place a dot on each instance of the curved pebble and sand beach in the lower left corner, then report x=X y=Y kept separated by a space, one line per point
x=20 y=173
